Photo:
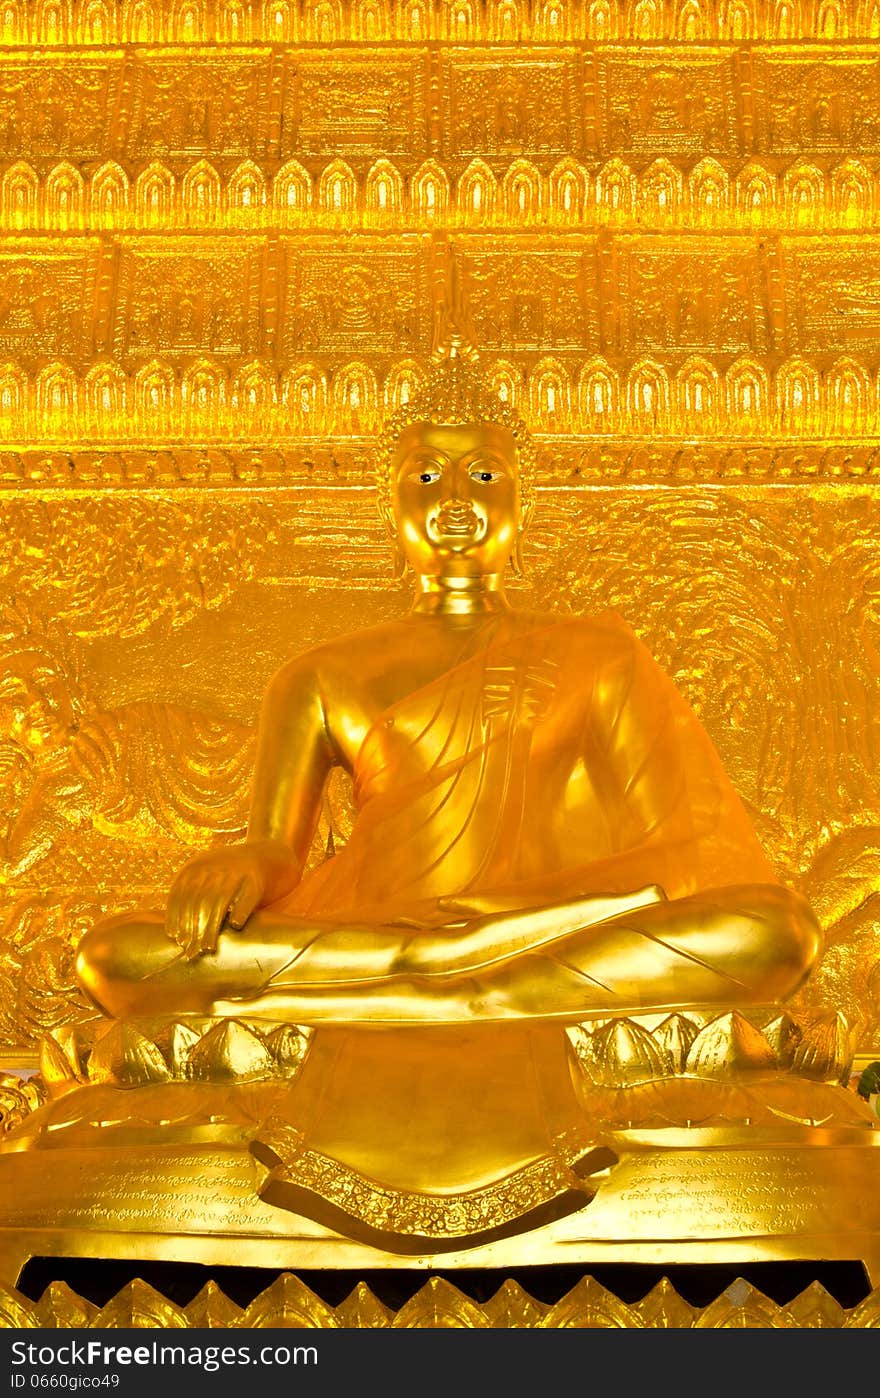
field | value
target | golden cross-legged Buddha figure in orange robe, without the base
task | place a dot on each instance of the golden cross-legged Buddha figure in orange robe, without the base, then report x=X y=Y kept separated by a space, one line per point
x=544 y=830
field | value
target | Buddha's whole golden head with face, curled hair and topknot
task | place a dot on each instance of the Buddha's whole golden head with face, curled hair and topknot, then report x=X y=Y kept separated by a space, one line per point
x=457 y=476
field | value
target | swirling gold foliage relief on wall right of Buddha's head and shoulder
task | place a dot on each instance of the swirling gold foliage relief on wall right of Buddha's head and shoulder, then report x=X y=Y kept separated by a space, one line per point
x=766 y=613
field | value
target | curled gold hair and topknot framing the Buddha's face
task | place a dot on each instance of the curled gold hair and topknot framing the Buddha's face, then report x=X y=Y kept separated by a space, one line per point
x=454 y=395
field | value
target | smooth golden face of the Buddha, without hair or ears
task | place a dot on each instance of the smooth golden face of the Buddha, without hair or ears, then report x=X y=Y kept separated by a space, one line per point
x=457 y=498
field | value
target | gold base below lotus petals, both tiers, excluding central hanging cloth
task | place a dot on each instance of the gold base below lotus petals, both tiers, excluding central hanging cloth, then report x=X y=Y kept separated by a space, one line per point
x=131 y=1185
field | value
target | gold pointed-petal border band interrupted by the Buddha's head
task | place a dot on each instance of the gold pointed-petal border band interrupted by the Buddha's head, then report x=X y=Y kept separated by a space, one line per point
x=206 y=403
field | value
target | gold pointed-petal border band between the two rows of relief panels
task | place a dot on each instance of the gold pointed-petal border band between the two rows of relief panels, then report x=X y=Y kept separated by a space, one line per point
x=759 y=194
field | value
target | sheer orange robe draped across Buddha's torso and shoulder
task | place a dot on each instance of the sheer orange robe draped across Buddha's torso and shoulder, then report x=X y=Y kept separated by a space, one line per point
x=558 y=761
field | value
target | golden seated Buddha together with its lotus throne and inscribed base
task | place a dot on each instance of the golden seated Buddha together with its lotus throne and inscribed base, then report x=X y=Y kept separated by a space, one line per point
x=545 y=972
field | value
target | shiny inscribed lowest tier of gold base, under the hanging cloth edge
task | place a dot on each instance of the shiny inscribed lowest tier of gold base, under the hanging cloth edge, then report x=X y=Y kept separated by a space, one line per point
x=660 y=1196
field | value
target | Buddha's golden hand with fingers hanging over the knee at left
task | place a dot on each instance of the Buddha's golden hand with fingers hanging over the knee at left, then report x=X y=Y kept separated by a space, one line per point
x=222 y=888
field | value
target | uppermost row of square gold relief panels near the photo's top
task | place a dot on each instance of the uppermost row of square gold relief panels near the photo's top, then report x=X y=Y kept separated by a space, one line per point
x=457 y=103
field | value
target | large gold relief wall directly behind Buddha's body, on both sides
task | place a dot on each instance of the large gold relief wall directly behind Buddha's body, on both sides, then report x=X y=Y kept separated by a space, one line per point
x=132 y=669
